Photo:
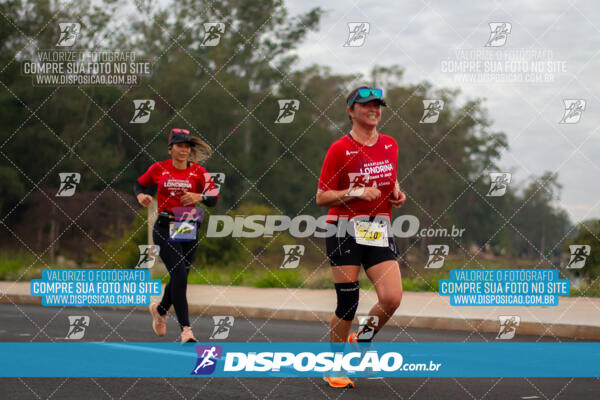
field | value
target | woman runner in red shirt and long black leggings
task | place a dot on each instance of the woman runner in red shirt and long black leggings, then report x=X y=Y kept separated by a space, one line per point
x=181 y=183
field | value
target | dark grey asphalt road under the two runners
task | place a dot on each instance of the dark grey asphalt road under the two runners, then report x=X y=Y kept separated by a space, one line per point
x=44 y=324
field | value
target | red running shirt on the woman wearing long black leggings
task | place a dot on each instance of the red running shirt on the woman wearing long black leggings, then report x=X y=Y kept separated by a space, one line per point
x=173 y=183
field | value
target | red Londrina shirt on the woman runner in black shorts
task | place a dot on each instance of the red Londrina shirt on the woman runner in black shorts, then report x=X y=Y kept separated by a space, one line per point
x=351 y=164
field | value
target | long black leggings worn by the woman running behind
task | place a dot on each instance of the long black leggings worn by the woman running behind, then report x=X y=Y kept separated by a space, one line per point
x=178 y=257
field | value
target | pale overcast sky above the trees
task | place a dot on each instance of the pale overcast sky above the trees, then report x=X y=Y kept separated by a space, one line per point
x=430 y=39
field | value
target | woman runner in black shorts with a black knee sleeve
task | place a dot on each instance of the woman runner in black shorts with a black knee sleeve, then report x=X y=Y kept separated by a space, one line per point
x=358 y=179
